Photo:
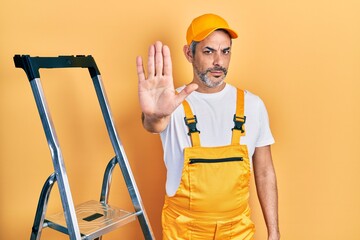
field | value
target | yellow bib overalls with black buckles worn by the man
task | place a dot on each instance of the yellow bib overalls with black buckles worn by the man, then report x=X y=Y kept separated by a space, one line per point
x=212 y=199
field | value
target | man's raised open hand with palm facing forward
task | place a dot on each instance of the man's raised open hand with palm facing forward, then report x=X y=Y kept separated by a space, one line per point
x=157 y=95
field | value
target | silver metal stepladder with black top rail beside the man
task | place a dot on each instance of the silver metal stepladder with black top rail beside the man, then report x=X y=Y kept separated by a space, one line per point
x=92 y=219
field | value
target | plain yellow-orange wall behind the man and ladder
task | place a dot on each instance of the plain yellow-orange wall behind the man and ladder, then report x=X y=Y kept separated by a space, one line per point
x=301 y=57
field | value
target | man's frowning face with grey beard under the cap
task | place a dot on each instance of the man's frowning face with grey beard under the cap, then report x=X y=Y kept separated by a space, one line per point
x=211 y=59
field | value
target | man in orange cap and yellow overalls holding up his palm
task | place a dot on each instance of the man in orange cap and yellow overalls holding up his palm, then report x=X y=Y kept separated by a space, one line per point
x=209 y=139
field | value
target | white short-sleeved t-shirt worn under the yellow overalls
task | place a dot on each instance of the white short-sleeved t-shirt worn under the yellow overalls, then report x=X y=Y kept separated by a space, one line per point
x=214 y=113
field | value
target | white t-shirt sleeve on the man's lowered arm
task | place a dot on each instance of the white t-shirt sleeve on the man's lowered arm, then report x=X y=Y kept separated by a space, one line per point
x=265 y=136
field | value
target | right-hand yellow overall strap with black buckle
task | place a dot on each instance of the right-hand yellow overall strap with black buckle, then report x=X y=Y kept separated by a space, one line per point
x=239 y=118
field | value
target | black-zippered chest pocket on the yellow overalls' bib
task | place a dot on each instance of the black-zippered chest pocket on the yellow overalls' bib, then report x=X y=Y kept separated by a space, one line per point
x=215 y=184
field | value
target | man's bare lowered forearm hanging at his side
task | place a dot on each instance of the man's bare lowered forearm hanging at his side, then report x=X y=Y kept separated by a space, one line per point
x=268 y=196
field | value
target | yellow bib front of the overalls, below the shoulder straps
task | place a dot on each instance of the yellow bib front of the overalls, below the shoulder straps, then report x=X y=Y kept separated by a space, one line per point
x=217 y=177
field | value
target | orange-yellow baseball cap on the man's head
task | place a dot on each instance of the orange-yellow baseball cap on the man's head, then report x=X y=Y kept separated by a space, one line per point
x=204 y=25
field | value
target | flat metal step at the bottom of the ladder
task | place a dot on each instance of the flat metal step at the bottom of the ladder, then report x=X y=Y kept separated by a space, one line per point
x=94 y=218
